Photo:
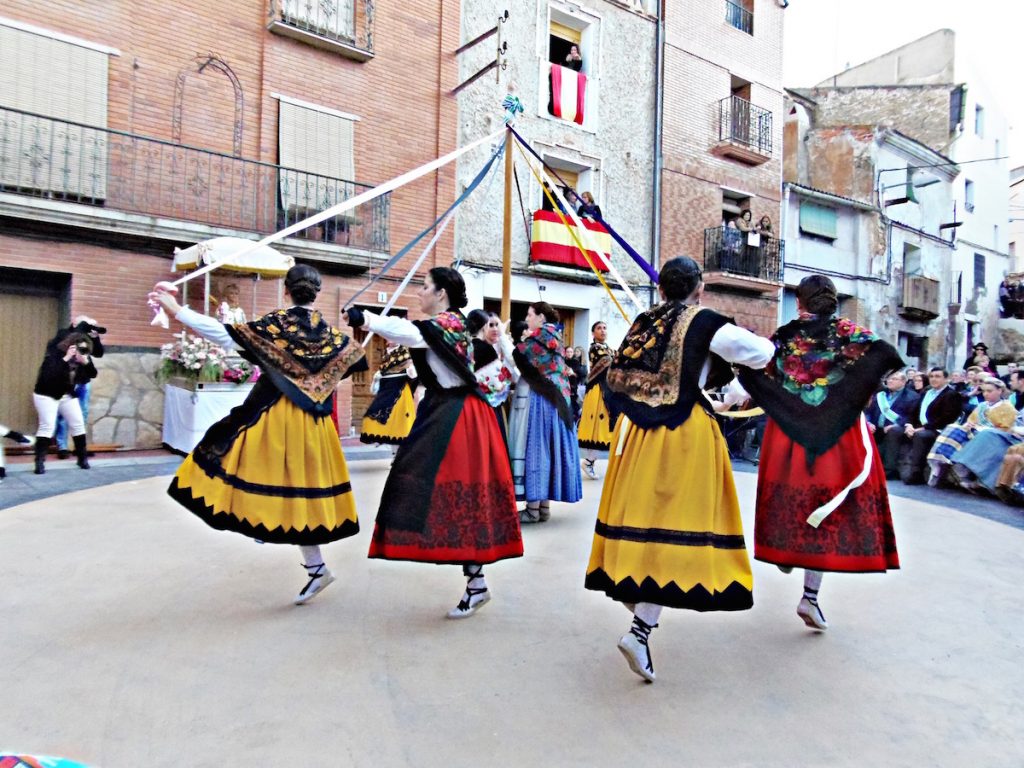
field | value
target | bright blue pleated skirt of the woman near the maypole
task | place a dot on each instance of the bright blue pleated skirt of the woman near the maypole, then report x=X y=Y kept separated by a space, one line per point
x=552 y=456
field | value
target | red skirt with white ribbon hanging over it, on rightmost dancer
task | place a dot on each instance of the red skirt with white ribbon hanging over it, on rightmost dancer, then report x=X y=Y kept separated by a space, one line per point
x=858 y=537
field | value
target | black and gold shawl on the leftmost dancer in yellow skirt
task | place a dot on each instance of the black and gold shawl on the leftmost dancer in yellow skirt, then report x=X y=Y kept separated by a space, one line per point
x=303 y=356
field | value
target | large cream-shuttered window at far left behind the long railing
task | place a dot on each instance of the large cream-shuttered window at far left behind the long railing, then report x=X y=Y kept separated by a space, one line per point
x=66 y=83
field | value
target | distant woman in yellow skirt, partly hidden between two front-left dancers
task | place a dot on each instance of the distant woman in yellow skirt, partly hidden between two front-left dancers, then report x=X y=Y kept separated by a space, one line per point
x=390 y=418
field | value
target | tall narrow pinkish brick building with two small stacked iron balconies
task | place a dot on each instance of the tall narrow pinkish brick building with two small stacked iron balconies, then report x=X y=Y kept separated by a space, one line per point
x=722 y=149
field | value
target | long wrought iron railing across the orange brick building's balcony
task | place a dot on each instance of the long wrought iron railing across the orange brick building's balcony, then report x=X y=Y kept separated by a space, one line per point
x=61 y=160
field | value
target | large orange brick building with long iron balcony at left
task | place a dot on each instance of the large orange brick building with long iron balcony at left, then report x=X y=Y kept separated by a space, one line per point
x=131 y=129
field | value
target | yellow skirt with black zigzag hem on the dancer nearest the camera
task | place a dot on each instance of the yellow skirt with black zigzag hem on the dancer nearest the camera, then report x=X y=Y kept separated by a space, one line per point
x=669 y=530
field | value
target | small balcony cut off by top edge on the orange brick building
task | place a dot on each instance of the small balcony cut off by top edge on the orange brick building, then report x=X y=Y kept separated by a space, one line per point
x=346 y=27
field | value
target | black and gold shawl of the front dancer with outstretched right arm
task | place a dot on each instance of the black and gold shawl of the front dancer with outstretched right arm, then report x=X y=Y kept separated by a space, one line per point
x=655 y=376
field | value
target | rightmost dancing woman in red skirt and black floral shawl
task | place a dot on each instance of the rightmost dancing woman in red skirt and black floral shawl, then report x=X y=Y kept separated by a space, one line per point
x=823 y=503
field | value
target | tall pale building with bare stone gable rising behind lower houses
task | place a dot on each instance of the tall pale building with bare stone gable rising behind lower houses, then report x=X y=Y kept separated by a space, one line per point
x=932 y=91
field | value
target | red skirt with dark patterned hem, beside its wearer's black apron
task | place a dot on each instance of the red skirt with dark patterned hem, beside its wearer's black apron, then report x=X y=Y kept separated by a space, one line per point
x=473 y=517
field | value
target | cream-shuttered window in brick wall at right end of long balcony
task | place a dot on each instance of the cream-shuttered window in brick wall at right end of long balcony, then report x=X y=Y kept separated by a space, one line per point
x=316 y=152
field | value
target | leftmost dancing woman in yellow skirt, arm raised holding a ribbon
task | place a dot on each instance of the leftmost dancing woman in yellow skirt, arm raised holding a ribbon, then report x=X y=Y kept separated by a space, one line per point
x=273 y=470
